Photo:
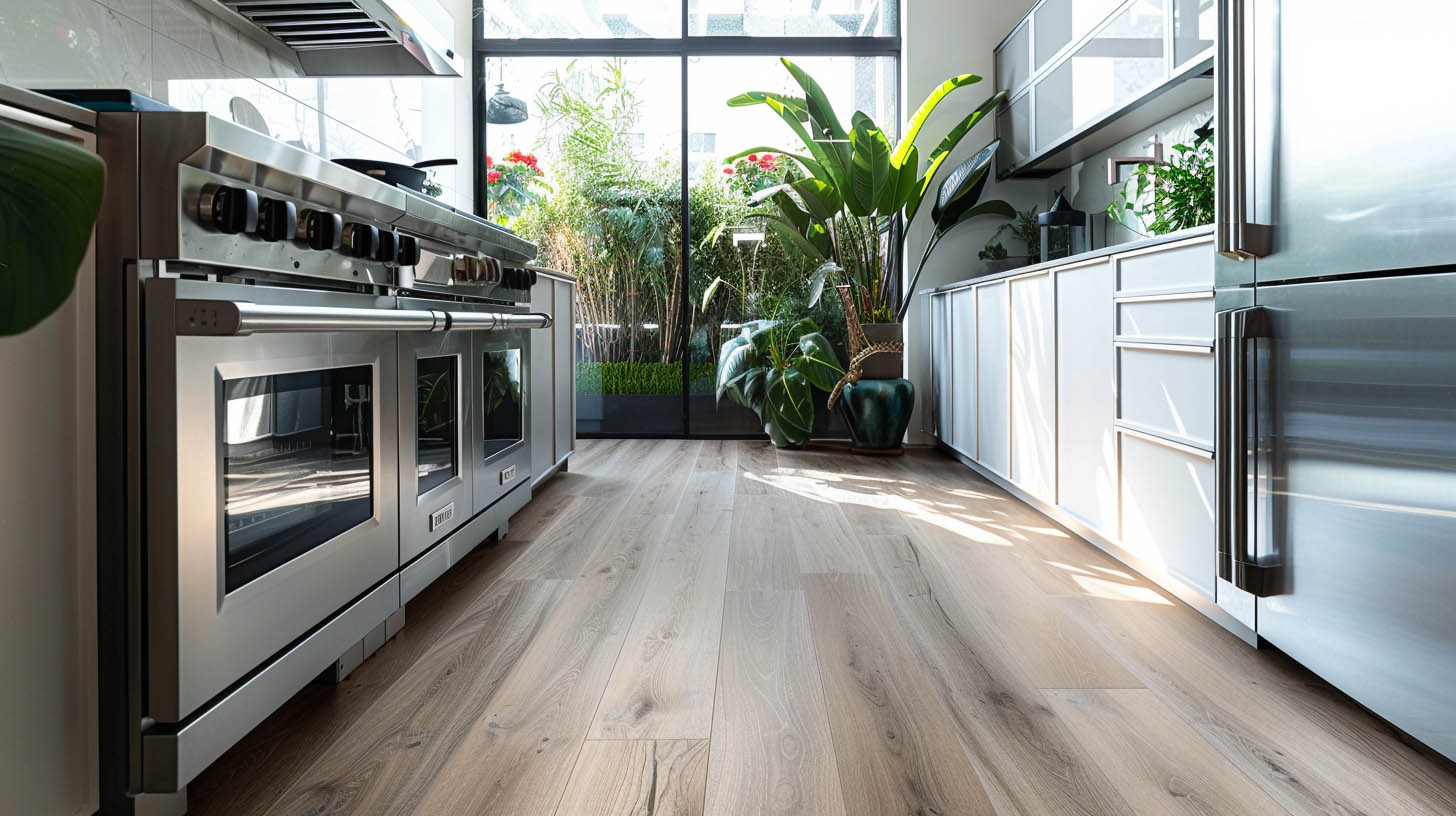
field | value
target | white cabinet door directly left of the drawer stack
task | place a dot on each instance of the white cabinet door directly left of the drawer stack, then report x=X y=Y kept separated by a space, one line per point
x=1087 y=396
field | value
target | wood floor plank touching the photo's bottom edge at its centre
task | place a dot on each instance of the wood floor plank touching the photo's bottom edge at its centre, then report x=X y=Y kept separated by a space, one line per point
x=771 y=753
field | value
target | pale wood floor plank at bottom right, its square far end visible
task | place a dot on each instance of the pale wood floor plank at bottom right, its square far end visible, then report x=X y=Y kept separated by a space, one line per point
x=1154 y=758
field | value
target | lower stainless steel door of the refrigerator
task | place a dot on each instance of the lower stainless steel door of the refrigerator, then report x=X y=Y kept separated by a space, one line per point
x=1356 y=490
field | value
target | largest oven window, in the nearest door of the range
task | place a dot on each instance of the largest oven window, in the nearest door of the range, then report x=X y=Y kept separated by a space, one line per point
x=298 y=466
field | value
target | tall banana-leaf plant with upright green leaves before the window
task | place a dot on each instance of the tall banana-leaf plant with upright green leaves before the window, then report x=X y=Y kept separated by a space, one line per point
x=847 y=192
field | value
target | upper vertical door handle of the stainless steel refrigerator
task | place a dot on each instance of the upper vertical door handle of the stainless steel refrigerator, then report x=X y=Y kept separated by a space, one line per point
x=1235 y=237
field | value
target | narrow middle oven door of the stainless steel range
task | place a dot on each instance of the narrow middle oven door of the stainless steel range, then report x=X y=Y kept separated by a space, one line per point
x=435 y=436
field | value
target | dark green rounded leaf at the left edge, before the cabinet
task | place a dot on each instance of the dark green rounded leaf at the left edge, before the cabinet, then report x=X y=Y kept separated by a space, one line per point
x=50 y=196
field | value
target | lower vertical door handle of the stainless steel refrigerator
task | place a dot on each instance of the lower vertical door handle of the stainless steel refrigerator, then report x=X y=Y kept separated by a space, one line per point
x=1238 y=452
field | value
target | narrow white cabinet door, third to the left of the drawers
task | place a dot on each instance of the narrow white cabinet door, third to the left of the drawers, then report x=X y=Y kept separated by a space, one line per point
x=994 y=377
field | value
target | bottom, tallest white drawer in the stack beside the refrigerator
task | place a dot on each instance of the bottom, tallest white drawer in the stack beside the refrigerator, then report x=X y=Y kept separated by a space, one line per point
x=1168 y=509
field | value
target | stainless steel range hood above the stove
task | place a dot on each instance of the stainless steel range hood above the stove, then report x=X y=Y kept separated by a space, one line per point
x=355 y=37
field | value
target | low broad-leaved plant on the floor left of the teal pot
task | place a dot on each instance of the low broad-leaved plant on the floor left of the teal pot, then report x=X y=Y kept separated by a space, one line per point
x=772 y=368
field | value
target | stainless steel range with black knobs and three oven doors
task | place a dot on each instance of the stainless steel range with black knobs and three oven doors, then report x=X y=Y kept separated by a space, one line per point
x=330 y=385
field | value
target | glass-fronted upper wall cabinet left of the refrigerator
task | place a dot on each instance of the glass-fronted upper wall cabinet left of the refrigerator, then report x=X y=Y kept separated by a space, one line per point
x=1084 y=75
